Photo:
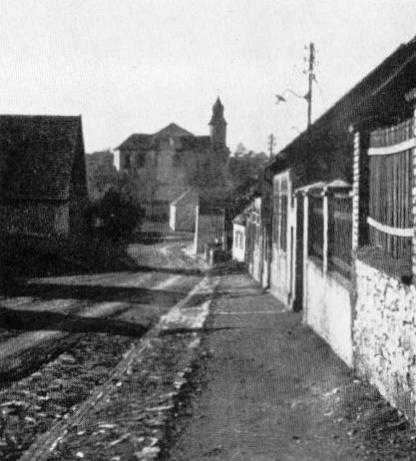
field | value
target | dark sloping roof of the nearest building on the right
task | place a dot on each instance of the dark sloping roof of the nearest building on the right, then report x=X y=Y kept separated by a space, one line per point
x=376 y=97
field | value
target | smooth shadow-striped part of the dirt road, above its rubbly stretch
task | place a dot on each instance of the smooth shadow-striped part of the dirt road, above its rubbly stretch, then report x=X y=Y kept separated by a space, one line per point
x=46 y=311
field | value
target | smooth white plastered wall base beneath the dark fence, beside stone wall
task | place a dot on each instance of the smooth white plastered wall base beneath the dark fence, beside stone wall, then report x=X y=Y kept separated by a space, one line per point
x=328 y=310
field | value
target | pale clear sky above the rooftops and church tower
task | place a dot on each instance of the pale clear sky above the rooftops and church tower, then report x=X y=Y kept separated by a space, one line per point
x=136 y=65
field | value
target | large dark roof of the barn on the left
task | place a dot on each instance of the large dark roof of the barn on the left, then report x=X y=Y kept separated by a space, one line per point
x=37 y=155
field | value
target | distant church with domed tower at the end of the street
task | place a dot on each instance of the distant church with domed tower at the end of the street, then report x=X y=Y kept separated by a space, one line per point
x=167 y=164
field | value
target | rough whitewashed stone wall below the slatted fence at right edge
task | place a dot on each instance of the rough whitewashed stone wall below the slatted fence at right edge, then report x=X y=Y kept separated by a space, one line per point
x=384 y=336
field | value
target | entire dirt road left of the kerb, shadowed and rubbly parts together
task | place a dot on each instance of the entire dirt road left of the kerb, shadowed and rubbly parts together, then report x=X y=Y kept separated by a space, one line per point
x=60 y=337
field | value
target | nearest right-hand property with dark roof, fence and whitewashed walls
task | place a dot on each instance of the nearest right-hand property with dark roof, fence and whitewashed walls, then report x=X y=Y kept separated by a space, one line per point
x=339 y=227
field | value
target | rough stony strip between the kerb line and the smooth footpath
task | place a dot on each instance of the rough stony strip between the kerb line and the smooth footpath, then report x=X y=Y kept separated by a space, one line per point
x=128 y=417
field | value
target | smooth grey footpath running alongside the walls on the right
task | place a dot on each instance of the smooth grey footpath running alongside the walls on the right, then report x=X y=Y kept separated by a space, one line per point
x=272 y=390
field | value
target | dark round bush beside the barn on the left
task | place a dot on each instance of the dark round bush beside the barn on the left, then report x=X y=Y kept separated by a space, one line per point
x=115 y=216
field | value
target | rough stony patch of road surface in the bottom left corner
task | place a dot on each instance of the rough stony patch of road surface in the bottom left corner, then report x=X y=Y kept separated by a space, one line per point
x=29 y=407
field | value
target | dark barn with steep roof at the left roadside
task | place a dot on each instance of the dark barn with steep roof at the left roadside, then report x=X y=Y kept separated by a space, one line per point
x=43 y=183
